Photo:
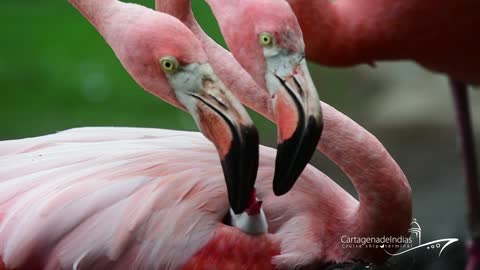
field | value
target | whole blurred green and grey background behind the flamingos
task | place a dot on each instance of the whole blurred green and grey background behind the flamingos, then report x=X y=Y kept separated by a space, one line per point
x=56 y=72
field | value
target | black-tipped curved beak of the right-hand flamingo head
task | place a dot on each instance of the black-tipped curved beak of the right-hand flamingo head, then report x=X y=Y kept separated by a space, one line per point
x=298 y=115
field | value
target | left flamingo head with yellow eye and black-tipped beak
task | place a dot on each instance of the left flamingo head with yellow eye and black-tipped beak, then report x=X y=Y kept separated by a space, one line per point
x=166 y=59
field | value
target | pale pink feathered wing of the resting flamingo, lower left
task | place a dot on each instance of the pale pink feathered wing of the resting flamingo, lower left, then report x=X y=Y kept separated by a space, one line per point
x=128 y=193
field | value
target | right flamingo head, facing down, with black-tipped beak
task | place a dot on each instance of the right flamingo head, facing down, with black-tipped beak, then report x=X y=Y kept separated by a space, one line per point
x=265 y=38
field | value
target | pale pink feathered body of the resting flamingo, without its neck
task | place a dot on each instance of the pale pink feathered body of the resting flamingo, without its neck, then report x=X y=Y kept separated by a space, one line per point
x=123 y=198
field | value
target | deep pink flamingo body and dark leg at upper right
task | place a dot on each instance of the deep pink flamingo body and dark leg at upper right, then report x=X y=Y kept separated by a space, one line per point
x=344 y=33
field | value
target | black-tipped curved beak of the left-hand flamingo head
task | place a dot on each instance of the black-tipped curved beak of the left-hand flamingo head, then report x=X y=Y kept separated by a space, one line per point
x=226 y=123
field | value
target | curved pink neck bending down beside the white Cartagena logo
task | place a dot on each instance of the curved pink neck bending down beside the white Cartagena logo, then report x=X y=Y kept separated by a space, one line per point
x=384 y=193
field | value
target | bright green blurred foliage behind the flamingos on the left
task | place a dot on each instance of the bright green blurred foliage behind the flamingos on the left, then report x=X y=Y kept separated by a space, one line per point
x=56 y=72
